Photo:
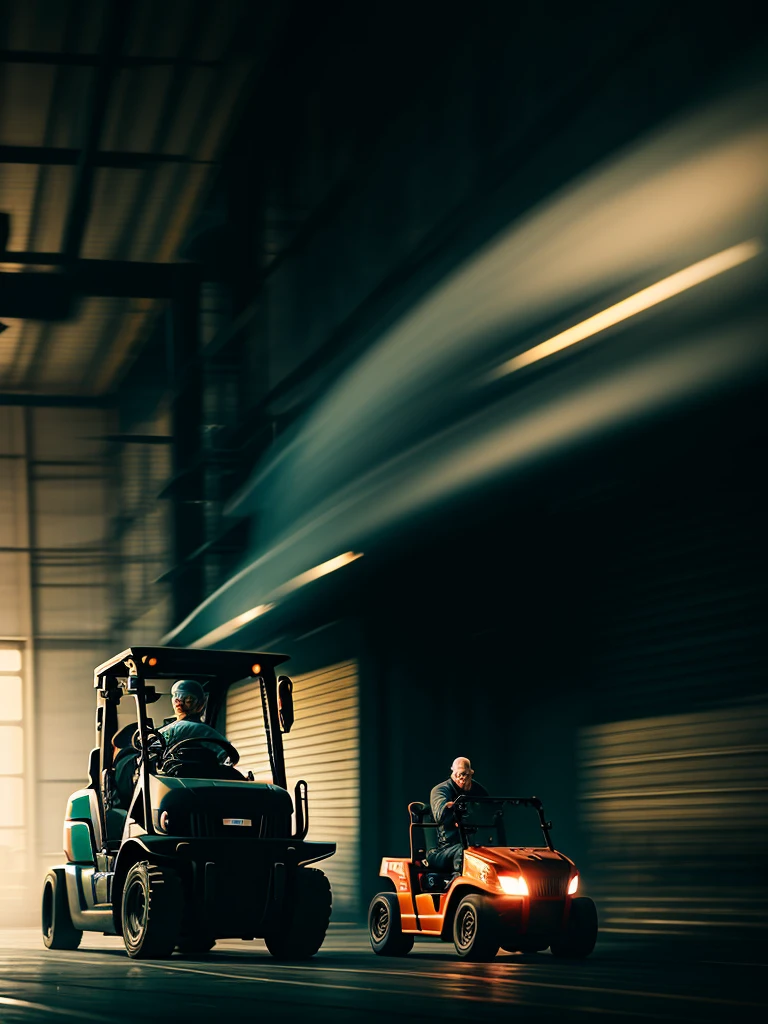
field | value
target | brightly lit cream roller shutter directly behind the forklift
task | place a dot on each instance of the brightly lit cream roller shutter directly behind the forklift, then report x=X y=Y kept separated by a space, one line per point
x=323 y=748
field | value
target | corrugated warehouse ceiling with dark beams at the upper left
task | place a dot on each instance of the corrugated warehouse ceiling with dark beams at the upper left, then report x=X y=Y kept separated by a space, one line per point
x=114 y=118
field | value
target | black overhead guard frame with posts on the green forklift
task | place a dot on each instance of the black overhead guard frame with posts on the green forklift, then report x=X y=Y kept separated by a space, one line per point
x=127 y=675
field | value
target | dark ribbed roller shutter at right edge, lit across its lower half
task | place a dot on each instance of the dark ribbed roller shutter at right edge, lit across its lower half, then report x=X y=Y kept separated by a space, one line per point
x=673 y=767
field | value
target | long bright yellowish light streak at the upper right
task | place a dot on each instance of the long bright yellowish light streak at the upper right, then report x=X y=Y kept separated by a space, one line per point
x=652 y=296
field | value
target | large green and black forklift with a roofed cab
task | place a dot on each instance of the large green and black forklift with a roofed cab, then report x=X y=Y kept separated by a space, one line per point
x=202 y=852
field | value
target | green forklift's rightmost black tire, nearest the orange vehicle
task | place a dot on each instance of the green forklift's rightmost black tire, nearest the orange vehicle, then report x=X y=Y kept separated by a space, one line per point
x=300 y=933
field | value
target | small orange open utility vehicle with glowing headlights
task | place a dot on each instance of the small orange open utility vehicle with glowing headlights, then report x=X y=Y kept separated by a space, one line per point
x=518 y=898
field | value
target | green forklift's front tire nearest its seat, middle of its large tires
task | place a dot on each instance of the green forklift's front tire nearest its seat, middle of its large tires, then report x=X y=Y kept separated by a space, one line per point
x=151 y=912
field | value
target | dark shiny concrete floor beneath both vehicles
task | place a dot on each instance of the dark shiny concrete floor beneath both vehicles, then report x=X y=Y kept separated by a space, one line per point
x=240 y=982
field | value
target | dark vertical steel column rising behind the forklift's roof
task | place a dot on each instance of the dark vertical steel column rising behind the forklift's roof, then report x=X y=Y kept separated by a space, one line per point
x=189 y=473
